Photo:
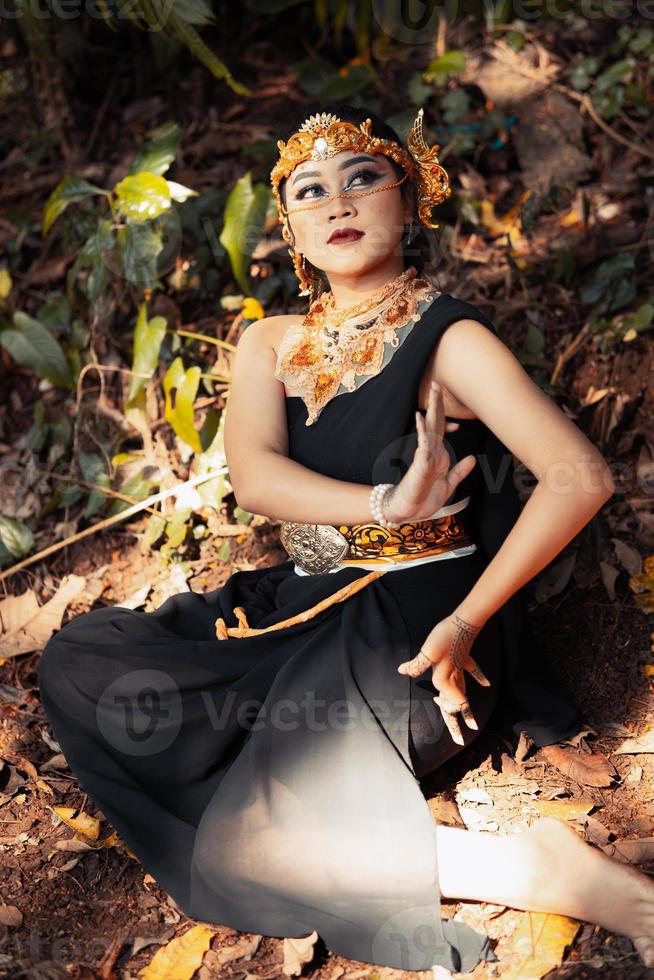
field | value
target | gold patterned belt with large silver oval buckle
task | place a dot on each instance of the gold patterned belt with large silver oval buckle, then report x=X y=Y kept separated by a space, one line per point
x=318 y=548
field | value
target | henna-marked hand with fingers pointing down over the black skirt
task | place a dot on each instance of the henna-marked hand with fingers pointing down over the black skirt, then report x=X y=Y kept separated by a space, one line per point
x=447 y=651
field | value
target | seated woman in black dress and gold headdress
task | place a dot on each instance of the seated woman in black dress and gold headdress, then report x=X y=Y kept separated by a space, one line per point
x=211 y=731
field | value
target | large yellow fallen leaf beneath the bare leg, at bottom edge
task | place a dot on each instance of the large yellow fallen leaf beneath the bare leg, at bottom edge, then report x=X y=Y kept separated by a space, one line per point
x=538 y=945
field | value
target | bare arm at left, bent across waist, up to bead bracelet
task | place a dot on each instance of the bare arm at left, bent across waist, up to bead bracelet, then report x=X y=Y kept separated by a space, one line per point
x=264 y=479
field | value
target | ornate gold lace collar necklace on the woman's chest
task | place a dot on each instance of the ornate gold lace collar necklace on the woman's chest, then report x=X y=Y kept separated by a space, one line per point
x=331 y=347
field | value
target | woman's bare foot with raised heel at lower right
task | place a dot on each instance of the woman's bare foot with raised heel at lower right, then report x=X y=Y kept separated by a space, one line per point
x=596 y=888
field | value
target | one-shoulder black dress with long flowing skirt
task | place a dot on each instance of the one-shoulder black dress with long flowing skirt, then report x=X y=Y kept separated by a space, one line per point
x=271 y=782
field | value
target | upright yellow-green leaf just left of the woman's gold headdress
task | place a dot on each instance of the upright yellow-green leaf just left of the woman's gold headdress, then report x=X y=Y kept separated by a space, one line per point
x=245 y=214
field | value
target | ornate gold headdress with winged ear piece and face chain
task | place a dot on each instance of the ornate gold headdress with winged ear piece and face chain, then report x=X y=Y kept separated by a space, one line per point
x=324 y=134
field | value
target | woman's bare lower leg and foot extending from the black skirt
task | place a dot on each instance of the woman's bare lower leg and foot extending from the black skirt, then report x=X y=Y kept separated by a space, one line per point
x=549 y=868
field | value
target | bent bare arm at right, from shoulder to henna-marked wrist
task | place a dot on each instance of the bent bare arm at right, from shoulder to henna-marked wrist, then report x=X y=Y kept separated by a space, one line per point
x=574 y=480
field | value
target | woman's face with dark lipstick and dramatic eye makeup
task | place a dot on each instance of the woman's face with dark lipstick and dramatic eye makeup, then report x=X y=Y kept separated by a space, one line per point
x=380 y=216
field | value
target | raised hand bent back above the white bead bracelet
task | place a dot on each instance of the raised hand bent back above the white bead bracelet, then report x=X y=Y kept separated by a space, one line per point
x=429 y=481
